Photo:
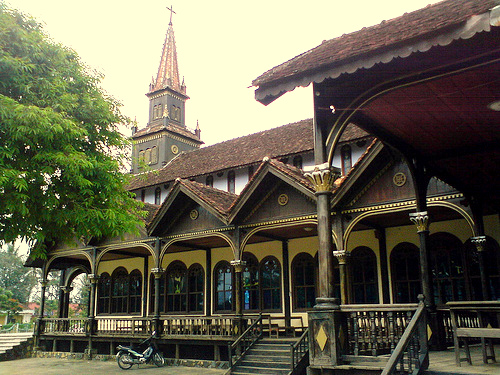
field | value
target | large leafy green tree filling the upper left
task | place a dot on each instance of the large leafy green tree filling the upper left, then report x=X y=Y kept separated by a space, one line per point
x=60 y=147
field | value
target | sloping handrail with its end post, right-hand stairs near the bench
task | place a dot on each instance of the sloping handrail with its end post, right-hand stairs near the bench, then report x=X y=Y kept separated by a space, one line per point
x=417 y=322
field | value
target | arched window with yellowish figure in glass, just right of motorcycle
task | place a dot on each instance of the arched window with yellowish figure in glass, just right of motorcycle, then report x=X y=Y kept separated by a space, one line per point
x=176 y=287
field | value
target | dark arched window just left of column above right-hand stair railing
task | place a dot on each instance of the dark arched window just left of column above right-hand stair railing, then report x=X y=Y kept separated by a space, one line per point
x=405 y=273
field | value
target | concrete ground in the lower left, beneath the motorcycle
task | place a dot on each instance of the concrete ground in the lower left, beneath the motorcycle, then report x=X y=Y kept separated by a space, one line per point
x=56 y=366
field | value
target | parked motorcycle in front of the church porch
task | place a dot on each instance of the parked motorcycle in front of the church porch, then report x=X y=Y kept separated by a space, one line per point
x=127 y=356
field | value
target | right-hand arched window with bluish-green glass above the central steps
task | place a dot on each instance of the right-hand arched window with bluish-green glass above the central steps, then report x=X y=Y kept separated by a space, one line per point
x=270 y=275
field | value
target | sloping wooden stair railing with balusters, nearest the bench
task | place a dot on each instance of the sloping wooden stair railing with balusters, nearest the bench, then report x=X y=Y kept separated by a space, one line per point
x=411 y=355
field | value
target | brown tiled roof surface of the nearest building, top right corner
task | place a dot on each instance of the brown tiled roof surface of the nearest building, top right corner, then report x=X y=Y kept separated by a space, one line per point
x=398 y=31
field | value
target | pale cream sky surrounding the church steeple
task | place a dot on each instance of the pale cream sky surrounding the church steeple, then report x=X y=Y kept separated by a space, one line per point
x=222 y=46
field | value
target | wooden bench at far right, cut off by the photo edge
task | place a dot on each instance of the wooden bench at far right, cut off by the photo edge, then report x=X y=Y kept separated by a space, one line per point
x=481 y=318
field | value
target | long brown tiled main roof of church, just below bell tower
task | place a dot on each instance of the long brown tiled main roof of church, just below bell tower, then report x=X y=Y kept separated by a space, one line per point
x=274 y=143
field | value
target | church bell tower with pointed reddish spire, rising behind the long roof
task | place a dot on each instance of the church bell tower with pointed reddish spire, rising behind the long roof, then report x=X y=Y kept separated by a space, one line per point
x=166 y=134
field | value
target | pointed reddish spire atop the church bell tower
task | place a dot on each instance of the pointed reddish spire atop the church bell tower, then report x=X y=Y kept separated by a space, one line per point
x=168 y=71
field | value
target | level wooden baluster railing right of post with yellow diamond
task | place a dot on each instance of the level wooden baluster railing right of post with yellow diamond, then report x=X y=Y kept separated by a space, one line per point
x=375 y=329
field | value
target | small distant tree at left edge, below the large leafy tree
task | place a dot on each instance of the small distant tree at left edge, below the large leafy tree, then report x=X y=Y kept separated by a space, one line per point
x=14 y=276
